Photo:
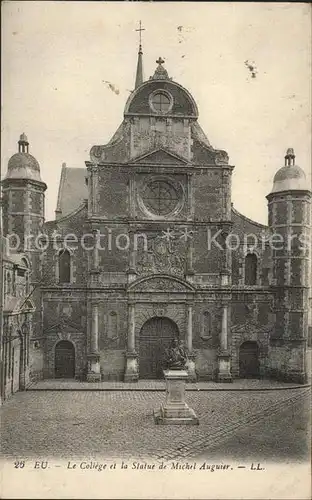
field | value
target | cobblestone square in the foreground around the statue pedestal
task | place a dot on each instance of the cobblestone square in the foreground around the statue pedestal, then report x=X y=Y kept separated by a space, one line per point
x=257 y=425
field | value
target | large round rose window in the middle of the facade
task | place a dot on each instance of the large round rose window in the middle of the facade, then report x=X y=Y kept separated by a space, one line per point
x=160 y=197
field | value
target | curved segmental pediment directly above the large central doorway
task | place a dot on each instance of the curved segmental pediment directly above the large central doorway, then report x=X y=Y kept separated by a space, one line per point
x=161 y=283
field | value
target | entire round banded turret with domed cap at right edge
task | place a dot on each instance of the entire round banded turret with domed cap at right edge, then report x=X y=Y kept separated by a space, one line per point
x=289 y=207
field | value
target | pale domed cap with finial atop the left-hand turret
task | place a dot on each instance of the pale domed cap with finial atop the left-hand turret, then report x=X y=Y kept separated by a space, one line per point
x=23 y=165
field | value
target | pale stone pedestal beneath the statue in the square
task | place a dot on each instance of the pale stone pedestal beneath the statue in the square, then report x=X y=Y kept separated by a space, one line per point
x=175 y=410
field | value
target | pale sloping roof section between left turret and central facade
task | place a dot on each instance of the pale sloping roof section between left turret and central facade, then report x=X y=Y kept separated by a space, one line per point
x=72 y=189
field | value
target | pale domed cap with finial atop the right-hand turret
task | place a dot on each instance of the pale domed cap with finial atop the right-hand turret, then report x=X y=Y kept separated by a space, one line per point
x=290 y=177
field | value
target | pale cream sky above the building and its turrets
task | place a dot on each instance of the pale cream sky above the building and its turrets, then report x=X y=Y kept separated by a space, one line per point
x=59 y=59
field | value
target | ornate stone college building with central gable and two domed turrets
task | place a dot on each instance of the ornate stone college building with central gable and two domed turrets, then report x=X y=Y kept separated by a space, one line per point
x=146 y=245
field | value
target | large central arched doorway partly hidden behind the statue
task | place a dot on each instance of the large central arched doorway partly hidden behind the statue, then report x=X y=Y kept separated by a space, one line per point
x=155 y=337
